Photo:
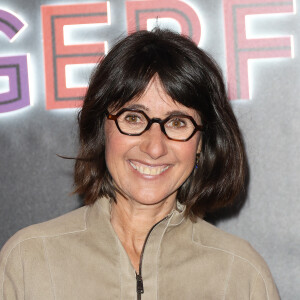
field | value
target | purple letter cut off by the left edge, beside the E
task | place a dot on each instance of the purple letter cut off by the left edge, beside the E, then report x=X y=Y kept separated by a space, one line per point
x=14 y=67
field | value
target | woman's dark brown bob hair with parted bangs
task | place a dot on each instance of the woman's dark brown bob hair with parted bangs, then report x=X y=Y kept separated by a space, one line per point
x=190 y=77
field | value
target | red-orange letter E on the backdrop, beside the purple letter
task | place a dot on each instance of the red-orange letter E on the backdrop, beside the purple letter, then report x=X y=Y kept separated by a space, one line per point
x=57 y=55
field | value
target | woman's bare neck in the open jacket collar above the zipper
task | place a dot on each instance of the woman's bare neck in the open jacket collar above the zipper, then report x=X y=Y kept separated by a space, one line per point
x=132 y=221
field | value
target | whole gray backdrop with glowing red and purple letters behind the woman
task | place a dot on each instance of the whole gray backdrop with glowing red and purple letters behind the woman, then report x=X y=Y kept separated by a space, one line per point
x=47 y=51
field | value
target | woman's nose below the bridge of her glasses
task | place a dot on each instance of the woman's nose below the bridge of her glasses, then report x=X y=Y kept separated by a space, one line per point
x=154 y=142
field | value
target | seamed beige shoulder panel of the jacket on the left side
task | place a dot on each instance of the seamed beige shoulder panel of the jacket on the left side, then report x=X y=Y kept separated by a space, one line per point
x=71 y=222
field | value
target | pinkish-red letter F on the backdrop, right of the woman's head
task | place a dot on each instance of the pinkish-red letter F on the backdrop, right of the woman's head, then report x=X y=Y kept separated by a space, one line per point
x=240 y=49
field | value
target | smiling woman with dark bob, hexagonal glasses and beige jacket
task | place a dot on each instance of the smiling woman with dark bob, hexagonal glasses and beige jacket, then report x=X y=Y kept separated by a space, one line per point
x=159 y=148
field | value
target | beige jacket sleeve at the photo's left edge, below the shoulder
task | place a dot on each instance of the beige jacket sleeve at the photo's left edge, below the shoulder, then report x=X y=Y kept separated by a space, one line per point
x=11 y=273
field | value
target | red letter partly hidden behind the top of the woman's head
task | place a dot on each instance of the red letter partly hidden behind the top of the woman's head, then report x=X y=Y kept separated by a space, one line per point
x=138 y=12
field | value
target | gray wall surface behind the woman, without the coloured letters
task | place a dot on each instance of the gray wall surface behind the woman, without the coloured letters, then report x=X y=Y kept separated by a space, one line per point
x=36 y=184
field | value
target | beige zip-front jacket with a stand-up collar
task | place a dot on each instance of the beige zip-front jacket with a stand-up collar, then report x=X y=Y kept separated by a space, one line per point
x=79 y=256
